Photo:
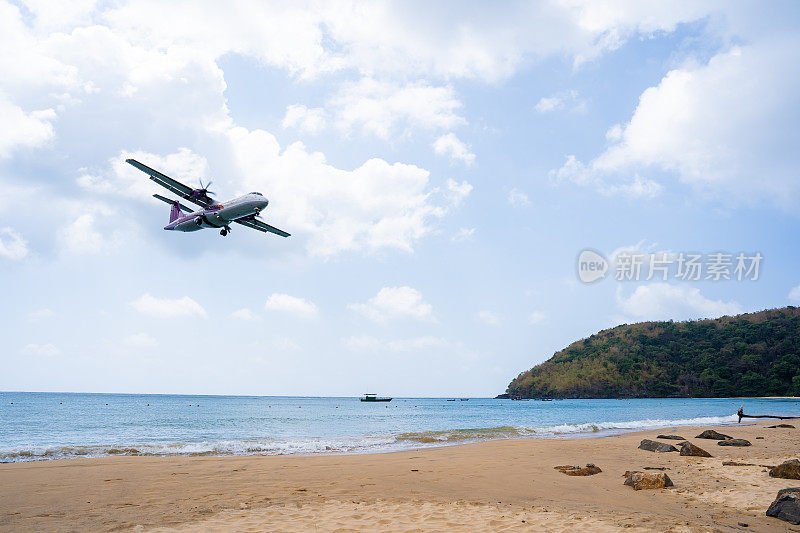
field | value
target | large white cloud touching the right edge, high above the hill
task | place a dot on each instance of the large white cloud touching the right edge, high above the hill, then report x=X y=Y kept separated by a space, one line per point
x=720 y=127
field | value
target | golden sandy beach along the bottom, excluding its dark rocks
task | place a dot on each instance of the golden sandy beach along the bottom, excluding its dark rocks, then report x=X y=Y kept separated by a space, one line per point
x=507 y=485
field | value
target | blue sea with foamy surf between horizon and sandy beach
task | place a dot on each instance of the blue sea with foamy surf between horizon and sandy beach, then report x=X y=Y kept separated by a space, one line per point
x=38 y=426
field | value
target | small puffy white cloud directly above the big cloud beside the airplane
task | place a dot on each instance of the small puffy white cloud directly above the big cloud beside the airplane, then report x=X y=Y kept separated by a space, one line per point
x=387 y=109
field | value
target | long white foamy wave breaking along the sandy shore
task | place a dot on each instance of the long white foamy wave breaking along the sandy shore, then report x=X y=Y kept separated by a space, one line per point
x=355 y=444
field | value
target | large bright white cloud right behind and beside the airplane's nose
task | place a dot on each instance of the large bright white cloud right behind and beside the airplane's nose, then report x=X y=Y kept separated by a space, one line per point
x=377 y=205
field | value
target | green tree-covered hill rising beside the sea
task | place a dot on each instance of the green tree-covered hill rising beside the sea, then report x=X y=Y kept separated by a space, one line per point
x=755 y=354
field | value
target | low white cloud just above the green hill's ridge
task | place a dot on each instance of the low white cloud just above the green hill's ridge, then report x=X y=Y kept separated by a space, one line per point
x=663 y=301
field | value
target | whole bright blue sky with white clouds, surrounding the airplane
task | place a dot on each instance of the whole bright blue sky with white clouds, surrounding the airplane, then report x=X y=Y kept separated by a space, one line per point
x=441 y=168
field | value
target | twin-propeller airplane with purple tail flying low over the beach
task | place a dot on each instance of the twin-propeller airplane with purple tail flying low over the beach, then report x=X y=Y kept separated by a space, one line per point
x=243 y=210
